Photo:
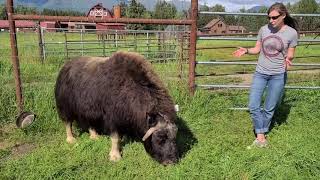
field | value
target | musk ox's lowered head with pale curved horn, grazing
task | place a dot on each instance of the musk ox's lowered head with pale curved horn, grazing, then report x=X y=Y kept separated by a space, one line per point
x=160 y=139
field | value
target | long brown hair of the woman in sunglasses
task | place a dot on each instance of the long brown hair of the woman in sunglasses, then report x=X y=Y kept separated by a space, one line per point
x=288 y=20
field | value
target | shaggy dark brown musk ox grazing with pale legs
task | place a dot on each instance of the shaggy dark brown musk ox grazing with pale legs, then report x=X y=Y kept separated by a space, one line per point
x=117 y=96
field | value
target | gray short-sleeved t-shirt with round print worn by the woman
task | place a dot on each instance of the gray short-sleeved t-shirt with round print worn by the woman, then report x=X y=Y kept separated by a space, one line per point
x=274 y=48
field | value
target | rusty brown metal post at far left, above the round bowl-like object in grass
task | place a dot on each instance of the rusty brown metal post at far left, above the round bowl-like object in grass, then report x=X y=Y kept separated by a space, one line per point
x=14 y=56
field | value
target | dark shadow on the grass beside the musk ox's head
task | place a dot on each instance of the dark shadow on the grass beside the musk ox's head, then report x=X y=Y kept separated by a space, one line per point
x=185 y=138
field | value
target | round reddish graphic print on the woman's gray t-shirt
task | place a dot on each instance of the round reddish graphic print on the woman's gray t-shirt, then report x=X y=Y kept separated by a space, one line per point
x=272 y=46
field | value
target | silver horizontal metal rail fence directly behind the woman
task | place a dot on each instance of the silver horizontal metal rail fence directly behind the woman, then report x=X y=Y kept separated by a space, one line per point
x=309 y=60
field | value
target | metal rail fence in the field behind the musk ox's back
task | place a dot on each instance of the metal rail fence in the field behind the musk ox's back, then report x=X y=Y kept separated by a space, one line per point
x=156 y=46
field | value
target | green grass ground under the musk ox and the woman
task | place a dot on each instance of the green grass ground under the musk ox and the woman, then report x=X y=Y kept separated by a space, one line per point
x=212 y=139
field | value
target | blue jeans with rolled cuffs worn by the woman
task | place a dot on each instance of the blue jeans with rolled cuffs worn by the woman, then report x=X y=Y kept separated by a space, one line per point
x=274 y=85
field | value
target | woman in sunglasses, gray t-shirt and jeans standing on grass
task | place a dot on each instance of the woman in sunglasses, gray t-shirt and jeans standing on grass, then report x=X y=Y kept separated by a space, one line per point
x=276 y=44
